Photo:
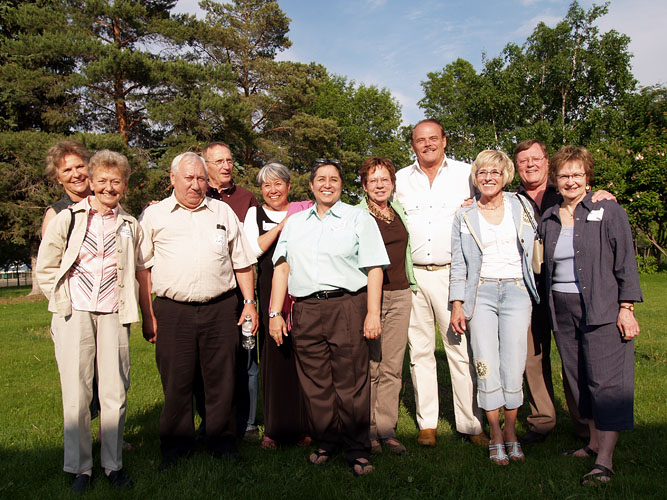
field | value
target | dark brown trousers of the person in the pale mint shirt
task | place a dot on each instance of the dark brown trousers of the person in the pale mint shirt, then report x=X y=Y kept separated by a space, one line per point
x=332 y=365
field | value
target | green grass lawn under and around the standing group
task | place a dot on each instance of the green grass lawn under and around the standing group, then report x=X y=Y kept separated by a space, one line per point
x=31 y=435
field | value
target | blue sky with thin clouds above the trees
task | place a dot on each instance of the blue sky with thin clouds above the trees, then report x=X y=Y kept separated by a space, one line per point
x=396 y=43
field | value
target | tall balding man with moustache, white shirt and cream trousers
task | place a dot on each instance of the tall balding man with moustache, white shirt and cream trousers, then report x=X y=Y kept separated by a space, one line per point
x=431 y=190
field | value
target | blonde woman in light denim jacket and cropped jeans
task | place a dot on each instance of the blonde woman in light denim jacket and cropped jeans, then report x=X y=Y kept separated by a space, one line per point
x=490 y=288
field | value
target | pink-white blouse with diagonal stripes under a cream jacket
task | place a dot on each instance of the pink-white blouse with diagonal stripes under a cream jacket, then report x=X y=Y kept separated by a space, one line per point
x=93 y=279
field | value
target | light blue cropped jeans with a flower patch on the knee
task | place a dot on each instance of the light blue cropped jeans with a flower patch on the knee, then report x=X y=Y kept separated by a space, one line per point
x=498 y=336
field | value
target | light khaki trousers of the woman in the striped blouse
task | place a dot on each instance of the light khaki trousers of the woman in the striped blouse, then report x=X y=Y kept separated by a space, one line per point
x=81 y=340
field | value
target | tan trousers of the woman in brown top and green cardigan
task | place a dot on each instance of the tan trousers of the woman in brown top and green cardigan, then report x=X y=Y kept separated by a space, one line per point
x=386 y=354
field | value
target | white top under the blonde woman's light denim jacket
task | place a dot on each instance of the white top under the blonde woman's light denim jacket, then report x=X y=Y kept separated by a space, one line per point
x=500 y=253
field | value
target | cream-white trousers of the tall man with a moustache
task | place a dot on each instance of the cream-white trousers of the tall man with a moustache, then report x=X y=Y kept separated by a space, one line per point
x=430 y=304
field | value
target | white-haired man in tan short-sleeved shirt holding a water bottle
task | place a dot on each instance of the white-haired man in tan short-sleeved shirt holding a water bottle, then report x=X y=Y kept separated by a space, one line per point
x=193 y=255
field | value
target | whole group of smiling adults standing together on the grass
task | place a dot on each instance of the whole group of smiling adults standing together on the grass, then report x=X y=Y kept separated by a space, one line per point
x=342 y=291
